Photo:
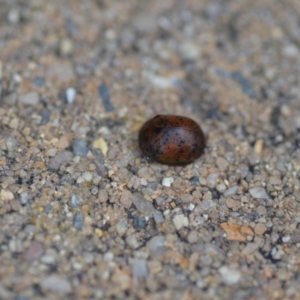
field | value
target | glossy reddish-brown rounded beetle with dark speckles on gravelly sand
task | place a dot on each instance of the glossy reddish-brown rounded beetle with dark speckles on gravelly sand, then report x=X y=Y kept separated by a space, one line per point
x=172 y=140
